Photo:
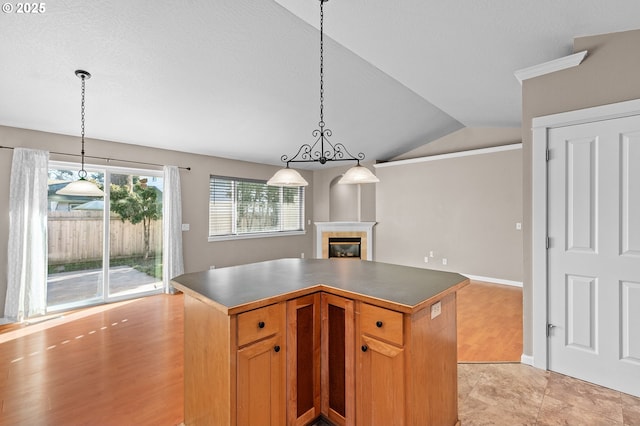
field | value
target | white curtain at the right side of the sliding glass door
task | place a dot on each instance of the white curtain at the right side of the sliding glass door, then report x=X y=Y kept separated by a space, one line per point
x=173 y=264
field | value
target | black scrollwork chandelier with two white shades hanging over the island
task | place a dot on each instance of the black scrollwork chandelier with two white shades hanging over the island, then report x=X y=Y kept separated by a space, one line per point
x=322 y=150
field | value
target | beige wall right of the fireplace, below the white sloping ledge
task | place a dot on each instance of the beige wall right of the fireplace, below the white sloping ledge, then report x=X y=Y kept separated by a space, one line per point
x=463 y=209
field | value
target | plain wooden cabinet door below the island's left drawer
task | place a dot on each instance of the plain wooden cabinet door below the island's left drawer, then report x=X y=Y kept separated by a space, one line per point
x=261 y=383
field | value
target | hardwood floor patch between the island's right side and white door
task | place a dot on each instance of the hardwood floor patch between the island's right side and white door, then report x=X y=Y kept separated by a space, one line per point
x=489 y=323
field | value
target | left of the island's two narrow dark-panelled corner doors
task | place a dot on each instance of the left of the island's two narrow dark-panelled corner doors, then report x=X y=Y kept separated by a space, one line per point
x=303 y=359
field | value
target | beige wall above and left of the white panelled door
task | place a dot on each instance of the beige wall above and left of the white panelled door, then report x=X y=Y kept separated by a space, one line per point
x=609 y=74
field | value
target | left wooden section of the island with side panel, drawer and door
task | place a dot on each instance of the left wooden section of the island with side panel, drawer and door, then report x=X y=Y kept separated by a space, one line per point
x=235 y=365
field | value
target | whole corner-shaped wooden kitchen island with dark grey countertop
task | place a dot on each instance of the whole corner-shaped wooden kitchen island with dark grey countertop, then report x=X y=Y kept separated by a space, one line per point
x=285 y=342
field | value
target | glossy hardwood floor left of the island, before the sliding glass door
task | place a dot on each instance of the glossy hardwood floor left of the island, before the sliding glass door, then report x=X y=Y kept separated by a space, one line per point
x=118 y=364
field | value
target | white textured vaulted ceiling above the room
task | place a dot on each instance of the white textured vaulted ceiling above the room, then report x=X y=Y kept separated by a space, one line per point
x=240 y=79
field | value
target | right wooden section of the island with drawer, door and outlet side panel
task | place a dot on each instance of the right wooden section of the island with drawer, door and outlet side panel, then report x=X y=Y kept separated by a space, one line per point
x=406 y=365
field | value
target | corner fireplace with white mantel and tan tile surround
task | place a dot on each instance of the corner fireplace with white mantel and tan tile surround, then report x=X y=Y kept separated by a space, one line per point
x=352 y=240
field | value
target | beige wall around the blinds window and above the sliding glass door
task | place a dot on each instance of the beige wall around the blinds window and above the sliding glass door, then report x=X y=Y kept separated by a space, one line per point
x=199 y=254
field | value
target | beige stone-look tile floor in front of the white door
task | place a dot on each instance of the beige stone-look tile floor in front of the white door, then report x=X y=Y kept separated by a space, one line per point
x=517 y=394
